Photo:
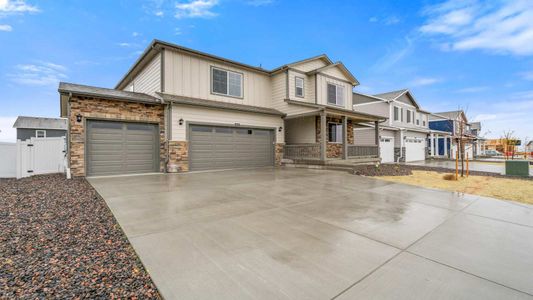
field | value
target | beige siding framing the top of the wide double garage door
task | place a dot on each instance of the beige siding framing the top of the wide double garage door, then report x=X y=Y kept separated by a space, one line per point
x=202 y=115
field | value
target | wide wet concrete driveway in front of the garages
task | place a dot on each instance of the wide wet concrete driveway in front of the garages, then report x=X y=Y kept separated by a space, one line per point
x=311 y=234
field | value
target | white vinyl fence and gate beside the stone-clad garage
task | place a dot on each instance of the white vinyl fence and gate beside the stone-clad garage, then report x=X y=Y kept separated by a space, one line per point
x=32 y=157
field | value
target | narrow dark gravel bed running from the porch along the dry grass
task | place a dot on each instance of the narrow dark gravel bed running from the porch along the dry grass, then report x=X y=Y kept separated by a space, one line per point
x=403 y=170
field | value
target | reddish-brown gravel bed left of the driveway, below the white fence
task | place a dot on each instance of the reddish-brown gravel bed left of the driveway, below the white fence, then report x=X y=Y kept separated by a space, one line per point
x=60 y=240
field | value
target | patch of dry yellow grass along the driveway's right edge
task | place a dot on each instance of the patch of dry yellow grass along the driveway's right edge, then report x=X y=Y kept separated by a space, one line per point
x=501 y=188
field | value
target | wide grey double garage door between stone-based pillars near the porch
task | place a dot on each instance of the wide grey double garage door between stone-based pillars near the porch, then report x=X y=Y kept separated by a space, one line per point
x=213 y=147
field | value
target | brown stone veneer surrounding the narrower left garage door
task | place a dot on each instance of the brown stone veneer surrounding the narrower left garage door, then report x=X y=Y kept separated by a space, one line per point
x=104 y=109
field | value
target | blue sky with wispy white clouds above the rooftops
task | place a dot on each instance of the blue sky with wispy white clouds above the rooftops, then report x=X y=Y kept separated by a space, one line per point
x=470 y=54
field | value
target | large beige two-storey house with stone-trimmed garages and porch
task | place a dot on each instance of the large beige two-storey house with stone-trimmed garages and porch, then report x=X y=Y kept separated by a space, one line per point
x=179 y=109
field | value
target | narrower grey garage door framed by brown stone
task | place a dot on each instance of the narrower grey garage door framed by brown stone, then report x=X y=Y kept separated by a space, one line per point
x=122 y=148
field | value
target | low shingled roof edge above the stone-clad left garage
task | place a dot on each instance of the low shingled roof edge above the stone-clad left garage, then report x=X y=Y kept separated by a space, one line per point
x=92 y=91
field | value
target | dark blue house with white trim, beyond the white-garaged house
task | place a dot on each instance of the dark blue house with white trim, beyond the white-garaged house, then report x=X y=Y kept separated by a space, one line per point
x=455 y=123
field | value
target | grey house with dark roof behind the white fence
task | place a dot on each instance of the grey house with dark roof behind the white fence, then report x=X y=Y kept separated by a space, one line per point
x=38 y=127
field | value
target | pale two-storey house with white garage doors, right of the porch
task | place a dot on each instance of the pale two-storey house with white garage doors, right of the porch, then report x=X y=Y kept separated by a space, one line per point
x=403 y=137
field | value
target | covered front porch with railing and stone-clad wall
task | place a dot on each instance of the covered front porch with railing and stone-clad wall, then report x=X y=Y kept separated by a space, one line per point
x=326 y=137
